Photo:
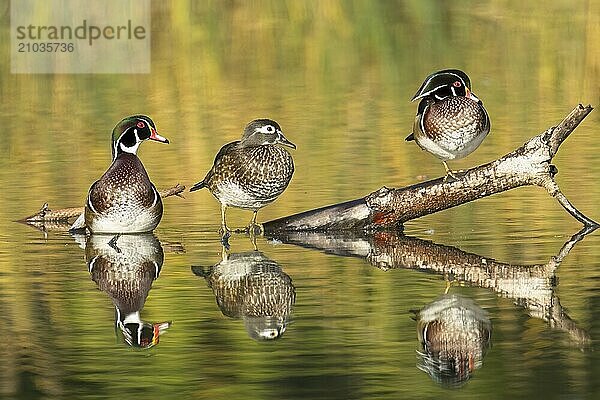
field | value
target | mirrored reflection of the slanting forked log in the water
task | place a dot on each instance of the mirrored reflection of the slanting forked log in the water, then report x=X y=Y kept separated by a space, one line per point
x=531 y=286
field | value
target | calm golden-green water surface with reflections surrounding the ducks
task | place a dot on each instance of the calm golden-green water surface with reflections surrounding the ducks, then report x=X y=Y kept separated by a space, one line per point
x=346 y=311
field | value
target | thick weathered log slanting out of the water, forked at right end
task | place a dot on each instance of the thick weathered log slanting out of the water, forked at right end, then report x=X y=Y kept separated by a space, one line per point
x=527 y=165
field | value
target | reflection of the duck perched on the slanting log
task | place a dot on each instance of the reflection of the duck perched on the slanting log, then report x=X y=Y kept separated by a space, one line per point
x=455 y=334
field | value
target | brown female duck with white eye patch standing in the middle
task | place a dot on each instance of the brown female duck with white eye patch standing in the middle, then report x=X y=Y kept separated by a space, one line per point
x=252 y=172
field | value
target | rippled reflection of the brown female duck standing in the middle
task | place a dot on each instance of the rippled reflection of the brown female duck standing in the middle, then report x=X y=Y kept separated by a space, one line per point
x=254 y=288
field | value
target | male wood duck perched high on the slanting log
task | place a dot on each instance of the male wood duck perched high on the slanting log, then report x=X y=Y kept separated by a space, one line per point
x=451 y=121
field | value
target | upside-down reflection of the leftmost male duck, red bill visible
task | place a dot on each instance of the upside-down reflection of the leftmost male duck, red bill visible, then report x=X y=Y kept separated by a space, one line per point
x=124 y=267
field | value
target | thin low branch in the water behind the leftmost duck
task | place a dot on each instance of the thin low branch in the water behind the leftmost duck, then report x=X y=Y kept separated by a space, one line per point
x=58 y=219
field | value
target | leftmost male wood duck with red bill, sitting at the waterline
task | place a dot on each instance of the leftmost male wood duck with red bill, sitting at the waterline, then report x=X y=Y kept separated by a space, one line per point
x=124 y=200
